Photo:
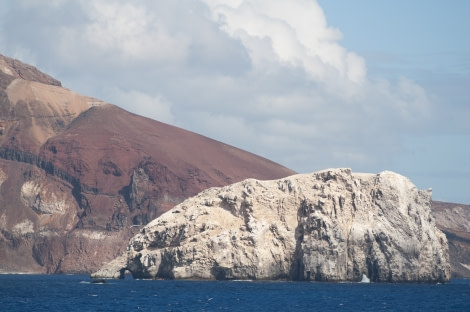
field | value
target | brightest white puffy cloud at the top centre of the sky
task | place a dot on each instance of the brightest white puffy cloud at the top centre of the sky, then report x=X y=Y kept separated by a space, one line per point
x=297 y=32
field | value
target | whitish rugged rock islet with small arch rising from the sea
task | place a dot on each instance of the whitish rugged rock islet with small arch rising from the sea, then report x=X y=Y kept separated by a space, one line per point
x=331 y=225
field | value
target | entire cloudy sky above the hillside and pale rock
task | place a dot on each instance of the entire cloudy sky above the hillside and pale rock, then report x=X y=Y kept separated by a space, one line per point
x=369 y=85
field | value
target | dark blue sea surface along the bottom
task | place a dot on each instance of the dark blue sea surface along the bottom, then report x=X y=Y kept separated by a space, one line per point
x=78 y=293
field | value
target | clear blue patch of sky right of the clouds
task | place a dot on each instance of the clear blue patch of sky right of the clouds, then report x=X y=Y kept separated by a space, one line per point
x=425 y=41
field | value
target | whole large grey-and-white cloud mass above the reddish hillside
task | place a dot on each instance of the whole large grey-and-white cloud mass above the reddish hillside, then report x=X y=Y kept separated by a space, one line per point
x=266 y=76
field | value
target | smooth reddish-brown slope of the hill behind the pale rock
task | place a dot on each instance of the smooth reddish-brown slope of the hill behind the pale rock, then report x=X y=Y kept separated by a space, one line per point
x=108 y=142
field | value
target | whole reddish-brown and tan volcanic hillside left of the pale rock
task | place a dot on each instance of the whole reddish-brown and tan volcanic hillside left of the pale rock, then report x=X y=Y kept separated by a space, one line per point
x=79 y=176
